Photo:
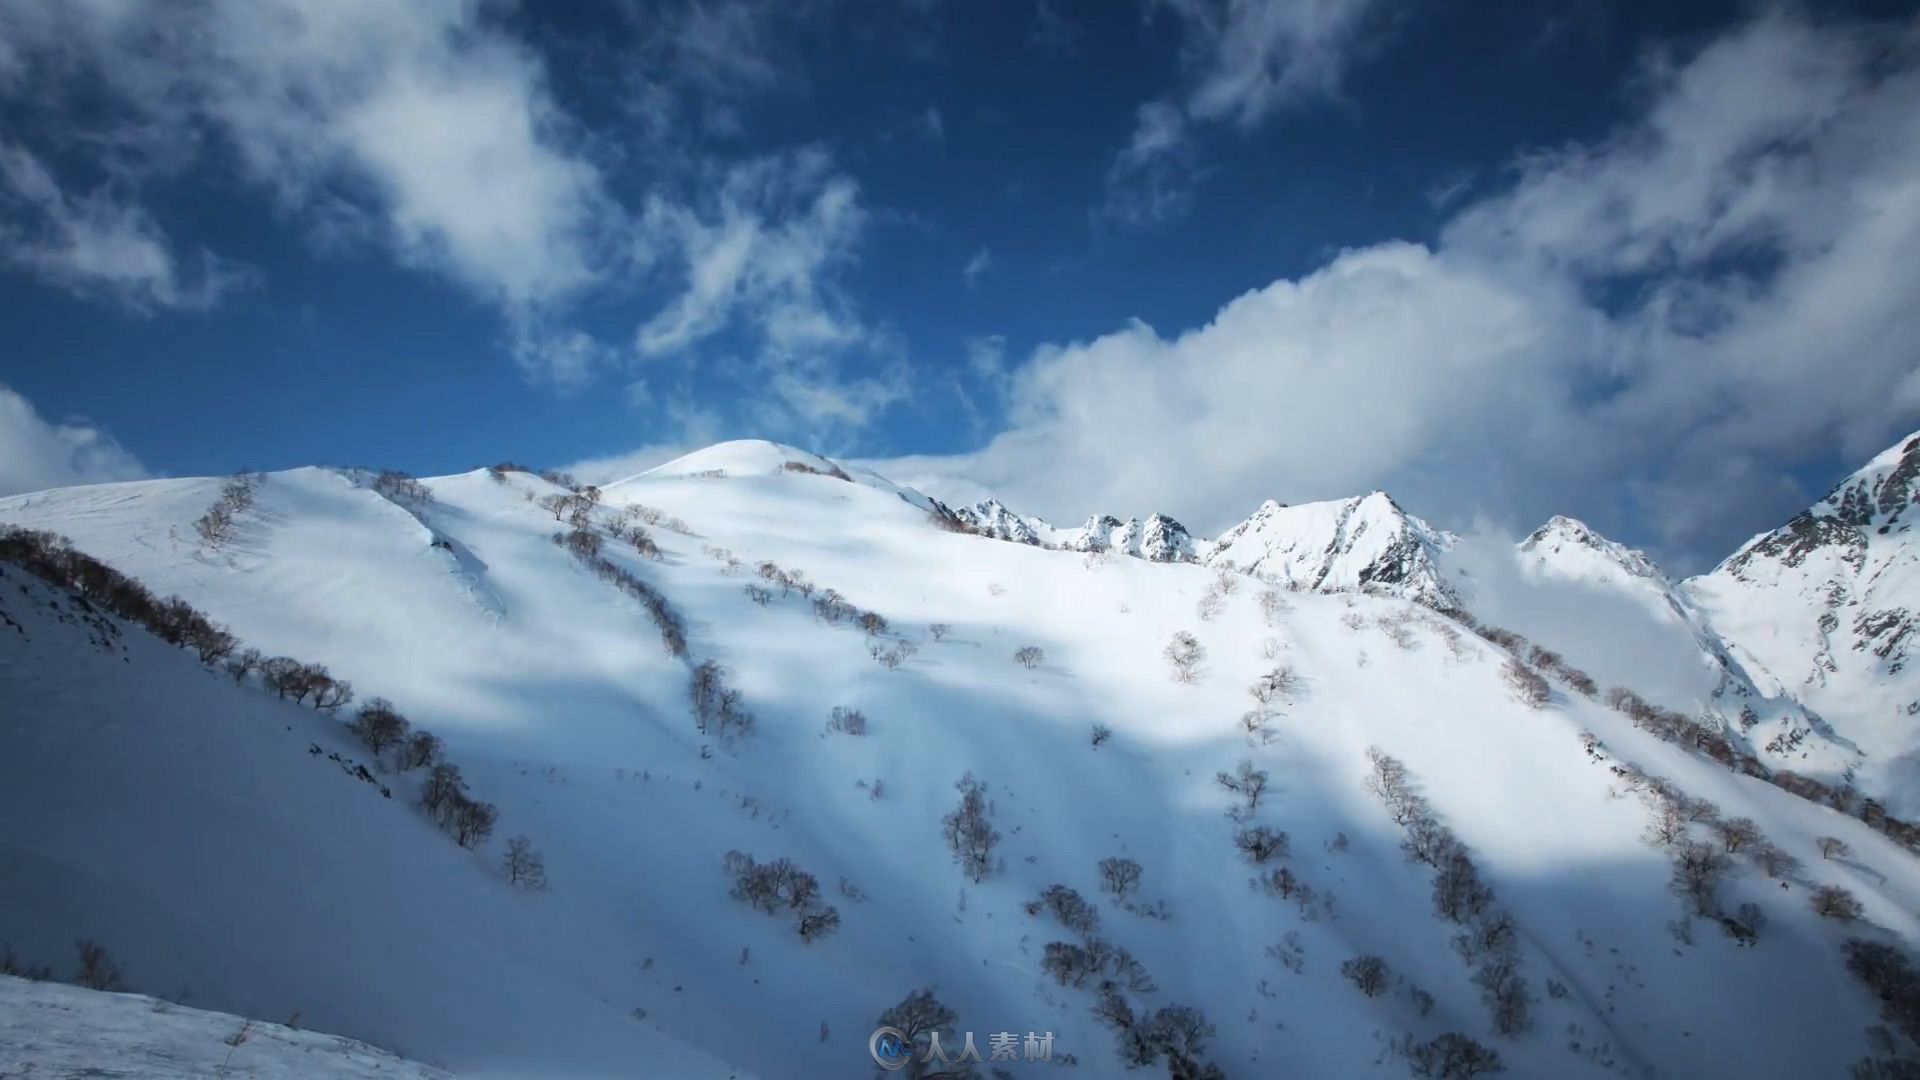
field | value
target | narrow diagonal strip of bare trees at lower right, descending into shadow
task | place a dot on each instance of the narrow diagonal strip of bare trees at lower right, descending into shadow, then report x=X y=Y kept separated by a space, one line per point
x=1489 y=937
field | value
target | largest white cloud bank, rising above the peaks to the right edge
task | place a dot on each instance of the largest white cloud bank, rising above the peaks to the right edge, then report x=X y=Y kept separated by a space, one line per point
x=1681 y=312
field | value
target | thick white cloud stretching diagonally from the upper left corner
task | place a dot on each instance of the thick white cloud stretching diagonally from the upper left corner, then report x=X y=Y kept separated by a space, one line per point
x=435 y=118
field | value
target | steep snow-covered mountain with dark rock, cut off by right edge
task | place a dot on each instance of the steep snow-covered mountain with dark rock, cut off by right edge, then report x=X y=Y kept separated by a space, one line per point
x=1829 y=606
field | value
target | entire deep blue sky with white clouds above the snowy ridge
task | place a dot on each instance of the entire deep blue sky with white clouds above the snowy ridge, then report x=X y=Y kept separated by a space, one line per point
x=1644 y=264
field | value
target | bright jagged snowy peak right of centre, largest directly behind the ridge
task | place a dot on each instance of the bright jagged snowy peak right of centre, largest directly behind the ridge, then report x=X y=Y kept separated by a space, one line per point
x=1356 y=543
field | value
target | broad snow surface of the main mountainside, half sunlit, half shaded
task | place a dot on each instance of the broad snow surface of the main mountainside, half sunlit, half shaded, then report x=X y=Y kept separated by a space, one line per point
x=176 y=818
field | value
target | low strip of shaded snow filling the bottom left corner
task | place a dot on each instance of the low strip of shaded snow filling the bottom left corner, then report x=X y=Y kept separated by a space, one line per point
x=62 y=1031
